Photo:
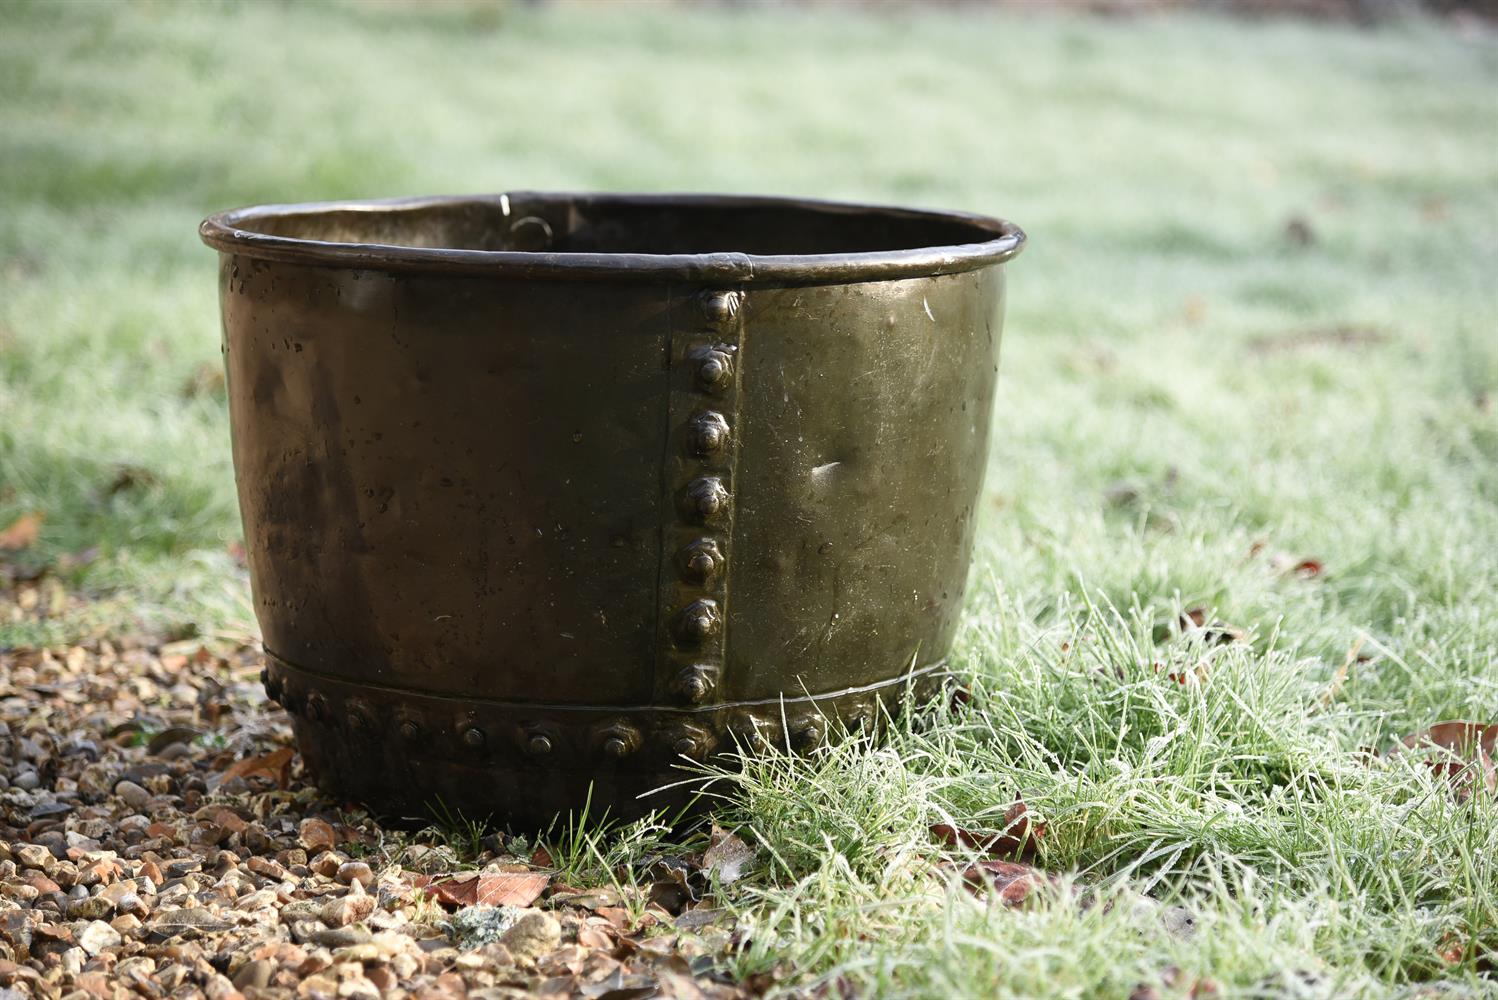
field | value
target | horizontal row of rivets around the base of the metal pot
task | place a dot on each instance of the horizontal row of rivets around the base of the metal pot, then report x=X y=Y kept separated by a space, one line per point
x=616 y=737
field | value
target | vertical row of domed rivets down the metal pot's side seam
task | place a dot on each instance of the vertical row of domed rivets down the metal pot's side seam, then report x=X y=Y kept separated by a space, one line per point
x=706 y=369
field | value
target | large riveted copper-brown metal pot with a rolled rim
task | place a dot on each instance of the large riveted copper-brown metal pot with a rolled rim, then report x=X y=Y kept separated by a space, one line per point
x=554 y=492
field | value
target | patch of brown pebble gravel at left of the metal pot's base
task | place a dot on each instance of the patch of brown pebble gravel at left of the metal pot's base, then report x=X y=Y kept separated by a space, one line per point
x=128 y=872
